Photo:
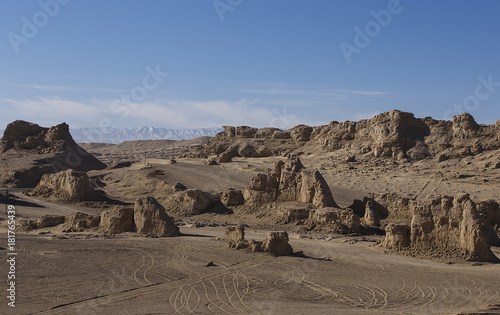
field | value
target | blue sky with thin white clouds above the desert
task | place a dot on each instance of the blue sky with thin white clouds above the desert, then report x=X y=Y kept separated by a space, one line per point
x=245 y=62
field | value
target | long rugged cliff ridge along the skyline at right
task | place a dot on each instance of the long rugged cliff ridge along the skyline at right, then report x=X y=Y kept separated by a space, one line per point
x=393 y=134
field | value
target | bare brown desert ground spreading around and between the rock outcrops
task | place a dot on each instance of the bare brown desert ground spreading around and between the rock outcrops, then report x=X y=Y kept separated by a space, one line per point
x=61 y=270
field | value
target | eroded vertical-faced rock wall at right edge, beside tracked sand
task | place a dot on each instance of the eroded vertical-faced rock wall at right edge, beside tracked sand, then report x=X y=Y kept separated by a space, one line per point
x=456 y=224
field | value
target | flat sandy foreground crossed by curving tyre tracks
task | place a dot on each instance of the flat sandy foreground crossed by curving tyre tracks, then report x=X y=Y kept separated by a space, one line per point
x=88 y=273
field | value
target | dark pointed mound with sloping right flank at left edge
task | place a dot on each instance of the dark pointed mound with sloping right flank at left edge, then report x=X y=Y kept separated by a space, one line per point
x=30 y=151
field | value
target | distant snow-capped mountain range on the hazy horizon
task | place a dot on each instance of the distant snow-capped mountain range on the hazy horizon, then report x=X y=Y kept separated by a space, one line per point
x=115 y=135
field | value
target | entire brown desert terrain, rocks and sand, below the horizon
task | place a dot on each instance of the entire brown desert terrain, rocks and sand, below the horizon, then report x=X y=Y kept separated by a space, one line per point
x=392 y=215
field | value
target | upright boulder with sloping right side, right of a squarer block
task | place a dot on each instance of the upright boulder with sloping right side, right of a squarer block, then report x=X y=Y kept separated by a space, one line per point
x=150 y=218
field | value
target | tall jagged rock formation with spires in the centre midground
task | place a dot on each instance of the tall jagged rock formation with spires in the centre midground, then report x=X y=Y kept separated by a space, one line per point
x=290 y=181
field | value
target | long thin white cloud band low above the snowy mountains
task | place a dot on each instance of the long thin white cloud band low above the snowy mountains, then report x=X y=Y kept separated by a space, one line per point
x=164 y=112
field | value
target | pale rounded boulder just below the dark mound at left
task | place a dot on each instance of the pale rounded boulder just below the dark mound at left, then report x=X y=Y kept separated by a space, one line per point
x=67 y=186
